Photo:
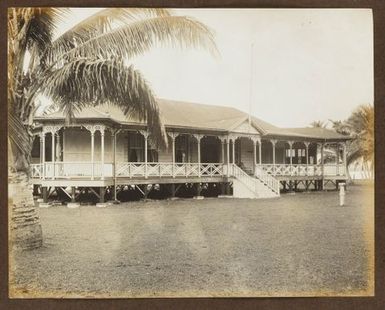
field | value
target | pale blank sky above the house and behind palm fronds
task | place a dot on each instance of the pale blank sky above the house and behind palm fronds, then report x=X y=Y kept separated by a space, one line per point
x=305 y=64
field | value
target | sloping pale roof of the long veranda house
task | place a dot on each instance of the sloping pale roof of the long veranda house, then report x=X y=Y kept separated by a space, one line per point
x=180 y=114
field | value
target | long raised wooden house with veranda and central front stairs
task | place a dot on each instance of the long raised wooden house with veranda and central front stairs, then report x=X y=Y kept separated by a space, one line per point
x=208 y=145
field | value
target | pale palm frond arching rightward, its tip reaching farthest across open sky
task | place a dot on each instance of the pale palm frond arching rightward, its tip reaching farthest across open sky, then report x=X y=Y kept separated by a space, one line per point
x=138 y=37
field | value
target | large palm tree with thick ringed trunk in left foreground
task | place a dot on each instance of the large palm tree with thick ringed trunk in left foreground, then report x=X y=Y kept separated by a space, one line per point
x=90 y=64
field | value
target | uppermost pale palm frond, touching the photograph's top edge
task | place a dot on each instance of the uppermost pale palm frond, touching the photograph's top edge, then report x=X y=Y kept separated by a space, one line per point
x=98 y=23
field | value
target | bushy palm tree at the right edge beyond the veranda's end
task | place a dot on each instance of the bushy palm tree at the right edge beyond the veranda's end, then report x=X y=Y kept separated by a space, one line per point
x=360 y=127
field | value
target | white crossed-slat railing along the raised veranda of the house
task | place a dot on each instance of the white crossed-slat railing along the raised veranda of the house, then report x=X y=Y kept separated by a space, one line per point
x=264 y=172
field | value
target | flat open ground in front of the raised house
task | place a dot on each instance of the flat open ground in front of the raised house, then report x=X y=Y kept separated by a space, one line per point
x=302 y=244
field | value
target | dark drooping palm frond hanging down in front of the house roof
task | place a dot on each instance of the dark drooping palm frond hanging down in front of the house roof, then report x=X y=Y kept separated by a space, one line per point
x=83 y=83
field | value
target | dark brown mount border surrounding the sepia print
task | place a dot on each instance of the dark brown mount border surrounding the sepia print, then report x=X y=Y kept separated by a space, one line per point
x=376 y=302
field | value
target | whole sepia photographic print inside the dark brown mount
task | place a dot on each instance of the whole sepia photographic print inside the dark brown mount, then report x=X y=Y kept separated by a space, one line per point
x=196 y=152
